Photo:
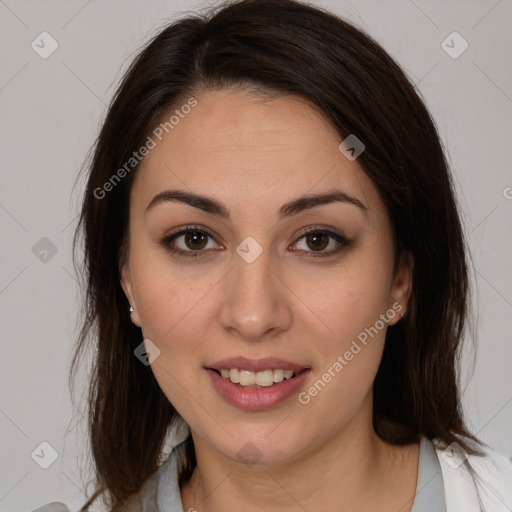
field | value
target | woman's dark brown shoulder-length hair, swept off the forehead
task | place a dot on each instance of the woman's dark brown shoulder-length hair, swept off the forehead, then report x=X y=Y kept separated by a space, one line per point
x=281 y=47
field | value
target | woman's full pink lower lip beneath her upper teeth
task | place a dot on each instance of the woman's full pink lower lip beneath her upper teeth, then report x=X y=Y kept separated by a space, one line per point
x=255 y=399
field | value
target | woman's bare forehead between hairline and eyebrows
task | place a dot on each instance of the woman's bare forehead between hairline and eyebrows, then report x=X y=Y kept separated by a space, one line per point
x=245 y=149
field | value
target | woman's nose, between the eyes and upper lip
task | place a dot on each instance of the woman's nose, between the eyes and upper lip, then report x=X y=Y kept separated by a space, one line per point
x=256 y=300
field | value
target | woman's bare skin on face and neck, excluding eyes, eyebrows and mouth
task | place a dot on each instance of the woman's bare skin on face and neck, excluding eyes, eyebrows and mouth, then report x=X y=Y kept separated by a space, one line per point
x=254 y=155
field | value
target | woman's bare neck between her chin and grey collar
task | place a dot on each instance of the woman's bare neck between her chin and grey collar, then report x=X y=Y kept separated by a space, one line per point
x=353 y=468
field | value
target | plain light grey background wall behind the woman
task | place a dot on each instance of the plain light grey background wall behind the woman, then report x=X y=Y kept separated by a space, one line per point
x=51 y=111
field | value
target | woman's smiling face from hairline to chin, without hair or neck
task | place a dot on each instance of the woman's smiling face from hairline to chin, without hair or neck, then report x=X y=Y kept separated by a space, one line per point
x=241 y=273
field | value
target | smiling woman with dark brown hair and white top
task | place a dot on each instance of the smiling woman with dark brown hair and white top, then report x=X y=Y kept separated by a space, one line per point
x=274 y=261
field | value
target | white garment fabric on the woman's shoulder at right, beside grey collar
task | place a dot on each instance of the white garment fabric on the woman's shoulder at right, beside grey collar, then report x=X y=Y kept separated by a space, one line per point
x=470 y=479
